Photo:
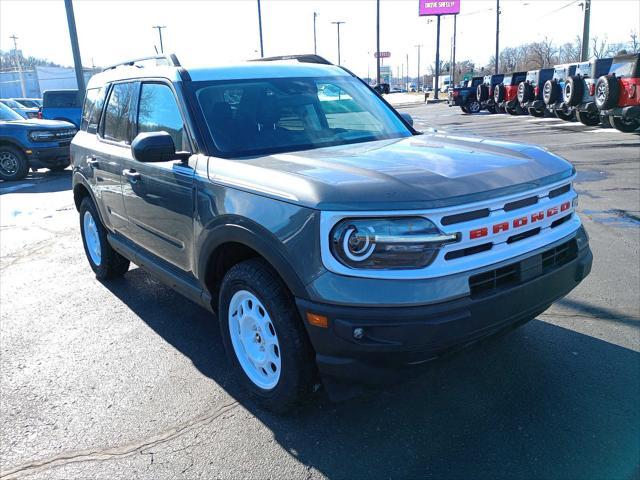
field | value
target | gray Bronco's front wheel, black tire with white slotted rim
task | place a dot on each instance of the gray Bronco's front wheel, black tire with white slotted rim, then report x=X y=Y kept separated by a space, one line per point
x=264 y=337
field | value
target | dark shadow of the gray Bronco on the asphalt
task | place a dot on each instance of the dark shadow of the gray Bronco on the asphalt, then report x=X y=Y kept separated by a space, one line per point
x=541 y=402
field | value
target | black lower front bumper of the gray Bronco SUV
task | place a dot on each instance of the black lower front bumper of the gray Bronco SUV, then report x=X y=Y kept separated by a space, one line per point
x=395 y=340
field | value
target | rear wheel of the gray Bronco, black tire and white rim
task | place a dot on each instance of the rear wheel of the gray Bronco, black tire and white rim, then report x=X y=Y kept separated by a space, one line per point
x=111 y=263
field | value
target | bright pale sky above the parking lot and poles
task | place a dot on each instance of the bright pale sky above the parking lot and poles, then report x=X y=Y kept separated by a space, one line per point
x=217 y=31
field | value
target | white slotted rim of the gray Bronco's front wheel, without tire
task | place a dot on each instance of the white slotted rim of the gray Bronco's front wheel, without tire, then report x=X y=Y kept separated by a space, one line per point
x=254 y=340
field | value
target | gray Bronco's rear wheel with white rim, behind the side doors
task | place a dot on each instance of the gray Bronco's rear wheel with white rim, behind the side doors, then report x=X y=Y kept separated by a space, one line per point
x=103 y=259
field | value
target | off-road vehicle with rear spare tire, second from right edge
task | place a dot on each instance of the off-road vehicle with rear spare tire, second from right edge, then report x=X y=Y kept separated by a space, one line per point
x=579 y=90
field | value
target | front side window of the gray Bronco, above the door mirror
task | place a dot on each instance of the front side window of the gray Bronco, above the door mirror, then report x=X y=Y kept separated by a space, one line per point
x=158 y=111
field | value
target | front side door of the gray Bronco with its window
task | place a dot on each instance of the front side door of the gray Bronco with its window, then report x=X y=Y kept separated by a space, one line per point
x=159 y=197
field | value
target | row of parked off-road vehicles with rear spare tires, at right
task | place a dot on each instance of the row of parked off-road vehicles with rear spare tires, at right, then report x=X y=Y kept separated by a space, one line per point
x=600 y=91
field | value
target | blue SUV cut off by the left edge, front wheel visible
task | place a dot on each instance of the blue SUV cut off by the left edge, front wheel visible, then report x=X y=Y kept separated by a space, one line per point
x=32 y=144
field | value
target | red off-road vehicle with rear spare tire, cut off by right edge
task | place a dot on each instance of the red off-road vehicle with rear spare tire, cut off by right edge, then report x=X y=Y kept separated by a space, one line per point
x=617 y=95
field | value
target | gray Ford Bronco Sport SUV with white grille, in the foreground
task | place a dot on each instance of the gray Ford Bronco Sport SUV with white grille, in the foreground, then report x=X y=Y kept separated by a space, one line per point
x=334 y=241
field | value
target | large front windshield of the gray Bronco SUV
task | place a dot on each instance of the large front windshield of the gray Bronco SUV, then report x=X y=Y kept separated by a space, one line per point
x=254 y=117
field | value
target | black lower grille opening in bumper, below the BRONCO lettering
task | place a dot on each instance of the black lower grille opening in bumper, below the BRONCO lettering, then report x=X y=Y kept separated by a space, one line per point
x=500 y=278
